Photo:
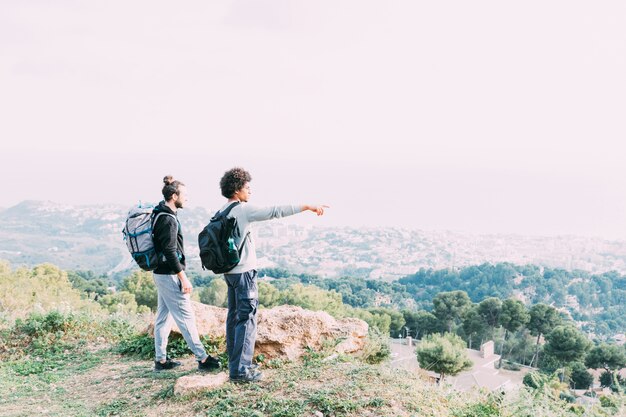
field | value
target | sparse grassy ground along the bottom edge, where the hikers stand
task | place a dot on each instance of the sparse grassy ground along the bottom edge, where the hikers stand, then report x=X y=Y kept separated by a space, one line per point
x=106 y=384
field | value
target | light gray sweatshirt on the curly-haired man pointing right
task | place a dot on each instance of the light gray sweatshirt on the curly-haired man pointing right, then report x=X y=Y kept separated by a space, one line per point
x=247 y=214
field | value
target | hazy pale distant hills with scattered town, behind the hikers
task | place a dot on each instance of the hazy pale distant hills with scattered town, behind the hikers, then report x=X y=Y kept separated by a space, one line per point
x=90 y=238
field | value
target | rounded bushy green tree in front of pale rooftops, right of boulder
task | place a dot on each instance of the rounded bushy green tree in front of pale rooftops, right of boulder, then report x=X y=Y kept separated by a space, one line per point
x=444 y=354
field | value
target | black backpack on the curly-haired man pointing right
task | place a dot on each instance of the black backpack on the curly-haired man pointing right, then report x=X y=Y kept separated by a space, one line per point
x=216 y=241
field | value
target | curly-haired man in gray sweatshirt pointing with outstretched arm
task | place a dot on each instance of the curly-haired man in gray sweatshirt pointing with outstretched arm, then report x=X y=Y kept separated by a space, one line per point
x=242 y=280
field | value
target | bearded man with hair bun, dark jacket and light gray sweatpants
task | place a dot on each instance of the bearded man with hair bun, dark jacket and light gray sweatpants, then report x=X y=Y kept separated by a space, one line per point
x=173 y=286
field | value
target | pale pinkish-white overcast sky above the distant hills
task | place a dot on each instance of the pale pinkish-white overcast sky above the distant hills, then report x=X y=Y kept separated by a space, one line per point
x=481 y=116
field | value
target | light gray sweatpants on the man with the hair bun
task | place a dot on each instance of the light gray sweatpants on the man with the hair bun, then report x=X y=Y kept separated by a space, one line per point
x=174 y=306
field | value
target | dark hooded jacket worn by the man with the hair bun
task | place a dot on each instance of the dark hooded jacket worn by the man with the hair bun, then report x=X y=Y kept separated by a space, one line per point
x=168 y=241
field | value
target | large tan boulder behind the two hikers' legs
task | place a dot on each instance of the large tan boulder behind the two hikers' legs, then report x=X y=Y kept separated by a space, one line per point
x=285 y=331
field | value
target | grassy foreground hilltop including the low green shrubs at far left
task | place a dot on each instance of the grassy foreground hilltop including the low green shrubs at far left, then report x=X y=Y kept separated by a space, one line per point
x=53 y=367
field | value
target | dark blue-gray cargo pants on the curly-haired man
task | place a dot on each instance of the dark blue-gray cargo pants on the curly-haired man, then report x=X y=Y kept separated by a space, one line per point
x=243 y=299
